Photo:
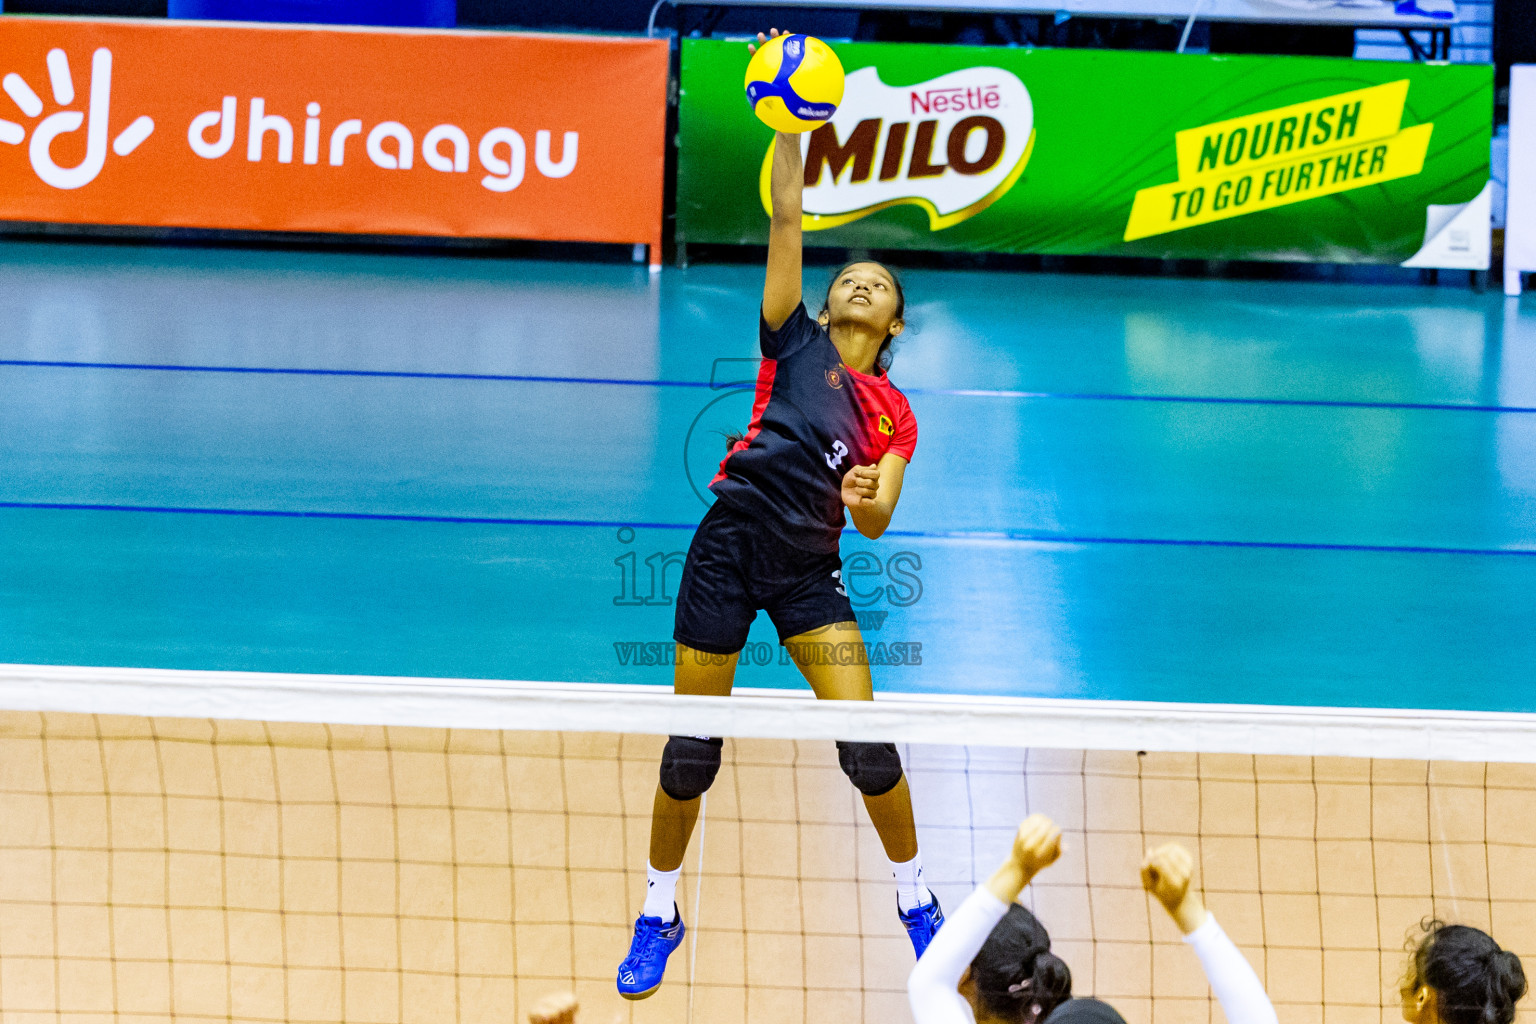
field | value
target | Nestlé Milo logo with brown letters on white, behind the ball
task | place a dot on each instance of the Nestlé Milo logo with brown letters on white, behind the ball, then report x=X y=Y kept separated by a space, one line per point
x=952 y=147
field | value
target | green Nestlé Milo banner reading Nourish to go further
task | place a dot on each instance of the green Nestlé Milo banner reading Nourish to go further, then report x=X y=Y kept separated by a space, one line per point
x=1070 y=151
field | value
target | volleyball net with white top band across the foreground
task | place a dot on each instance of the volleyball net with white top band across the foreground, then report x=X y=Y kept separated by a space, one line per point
x=273 y=854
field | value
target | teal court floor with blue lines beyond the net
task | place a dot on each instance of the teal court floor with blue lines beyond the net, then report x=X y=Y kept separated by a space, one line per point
x=1142 y=489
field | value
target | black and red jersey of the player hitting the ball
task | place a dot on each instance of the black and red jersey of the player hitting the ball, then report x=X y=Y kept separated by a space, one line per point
x=813 y=420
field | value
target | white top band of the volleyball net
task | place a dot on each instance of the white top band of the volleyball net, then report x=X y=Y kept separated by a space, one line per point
x=1016 y=722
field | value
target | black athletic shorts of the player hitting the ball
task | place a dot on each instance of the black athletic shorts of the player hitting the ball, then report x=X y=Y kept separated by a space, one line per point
x=735 y=567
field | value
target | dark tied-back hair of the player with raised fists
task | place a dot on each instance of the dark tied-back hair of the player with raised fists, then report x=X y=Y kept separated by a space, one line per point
x=1018 y=977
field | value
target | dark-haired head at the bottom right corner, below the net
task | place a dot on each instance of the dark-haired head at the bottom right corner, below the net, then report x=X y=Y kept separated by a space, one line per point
x=1474 y=980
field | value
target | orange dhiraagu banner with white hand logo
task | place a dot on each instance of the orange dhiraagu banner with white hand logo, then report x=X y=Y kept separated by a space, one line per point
x=297 y=130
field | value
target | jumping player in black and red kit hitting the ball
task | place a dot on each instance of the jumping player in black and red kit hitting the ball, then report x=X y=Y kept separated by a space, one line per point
x=829 y=432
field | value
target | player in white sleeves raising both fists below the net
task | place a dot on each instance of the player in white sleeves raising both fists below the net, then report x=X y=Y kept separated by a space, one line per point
x=991 y=965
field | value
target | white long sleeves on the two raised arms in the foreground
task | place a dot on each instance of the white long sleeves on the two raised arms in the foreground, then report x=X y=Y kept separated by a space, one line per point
x=933 y=986
